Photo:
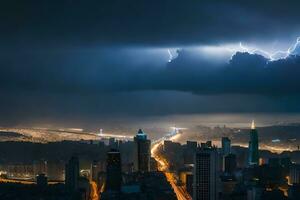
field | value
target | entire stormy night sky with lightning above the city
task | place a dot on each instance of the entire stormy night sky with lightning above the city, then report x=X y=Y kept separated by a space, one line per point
x=84 y=60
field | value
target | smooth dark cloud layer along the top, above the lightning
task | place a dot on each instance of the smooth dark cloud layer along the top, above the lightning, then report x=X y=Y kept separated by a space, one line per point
x=137 y=22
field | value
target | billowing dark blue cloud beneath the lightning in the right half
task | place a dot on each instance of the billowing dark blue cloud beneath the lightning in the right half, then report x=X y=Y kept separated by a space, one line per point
x=244 y=74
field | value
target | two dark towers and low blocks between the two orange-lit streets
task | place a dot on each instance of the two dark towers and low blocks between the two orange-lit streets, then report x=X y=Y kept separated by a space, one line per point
x=143 y=182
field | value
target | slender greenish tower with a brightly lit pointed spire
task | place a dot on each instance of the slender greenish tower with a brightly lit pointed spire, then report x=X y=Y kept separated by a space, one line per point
x=253 y=156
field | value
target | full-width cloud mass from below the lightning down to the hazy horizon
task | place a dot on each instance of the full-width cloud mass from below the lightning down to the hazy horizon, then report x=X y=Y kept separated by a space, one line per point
x=80 y=87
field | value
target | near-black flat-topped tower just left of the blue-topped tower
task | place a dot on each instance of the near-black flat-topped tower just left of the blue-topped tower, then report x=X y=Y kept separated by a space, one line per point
x=113 y=170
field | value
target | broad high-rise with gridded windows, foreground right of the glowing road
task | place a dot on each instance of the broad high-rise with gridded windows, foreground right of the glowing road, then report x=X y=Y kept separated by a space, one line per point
x=206 y=174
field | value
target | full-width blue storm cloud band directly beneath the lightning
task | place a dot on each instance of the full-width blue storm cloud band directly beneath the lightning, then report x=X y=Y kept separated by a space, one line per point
x=111 y=71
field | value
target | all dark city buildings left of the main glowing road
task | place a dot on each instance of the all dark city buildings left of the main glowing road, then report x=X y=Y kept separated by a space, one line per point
x=126 y=172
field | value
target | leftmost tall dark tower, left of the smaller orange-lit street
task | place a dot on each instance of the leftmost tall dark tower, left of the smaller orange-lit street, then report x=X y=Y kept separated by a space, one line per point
x=72 y=173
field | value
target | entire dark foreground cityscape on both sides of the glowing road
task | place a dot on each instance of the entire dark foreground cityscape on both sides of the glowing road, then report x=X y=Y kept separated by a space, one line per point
x=127 y=171
